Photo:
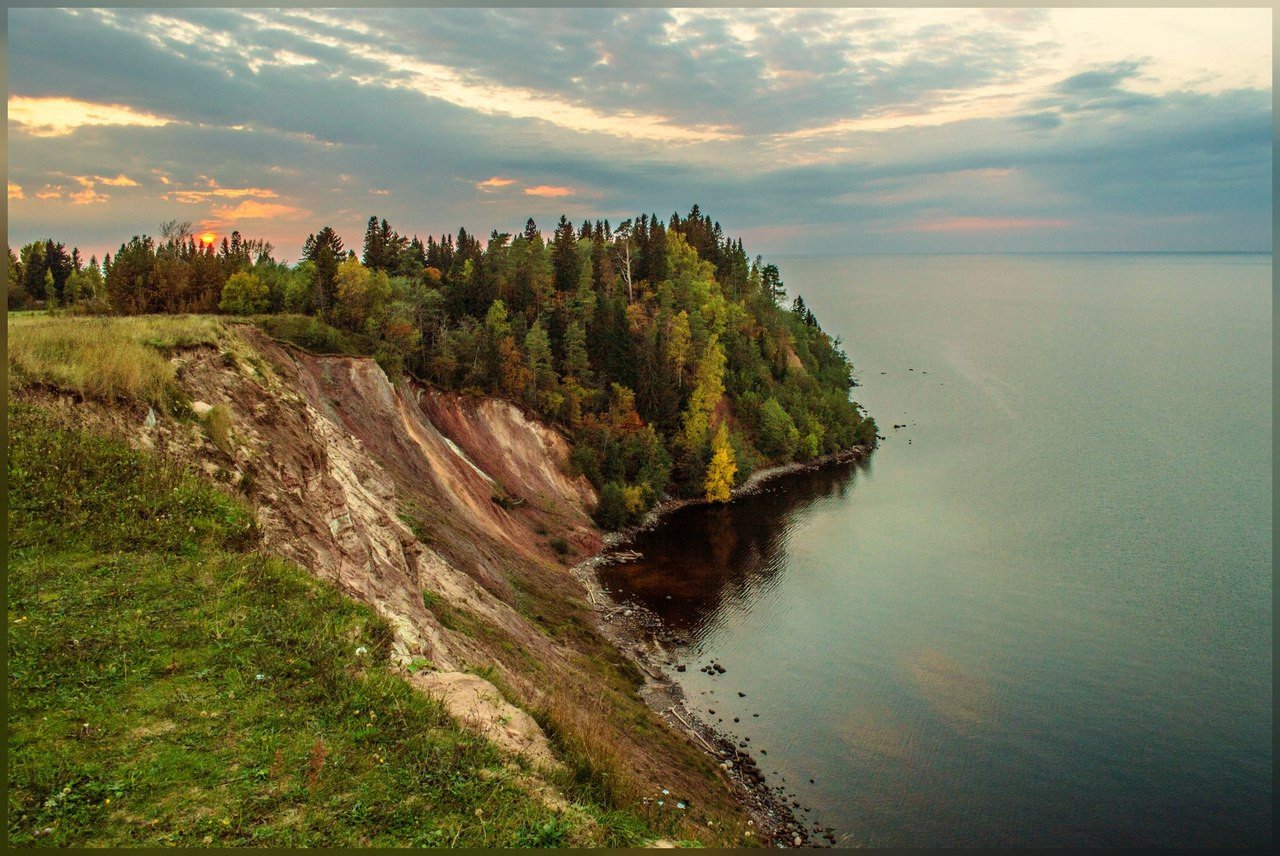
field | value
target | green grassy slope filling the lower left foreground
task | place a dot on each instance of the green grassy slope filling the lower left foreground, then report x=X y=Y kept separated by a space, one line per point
x=171 y=686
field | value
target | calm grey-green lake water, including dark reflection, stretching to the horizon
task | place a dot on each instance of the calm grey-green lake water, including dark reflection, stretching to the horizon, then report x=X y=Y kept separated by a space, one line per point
x=1041 y=615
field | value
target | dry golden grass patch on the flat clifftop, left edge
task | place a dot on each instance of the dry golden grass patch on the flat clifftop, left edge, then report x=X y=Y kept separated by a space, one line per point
x=106 y=358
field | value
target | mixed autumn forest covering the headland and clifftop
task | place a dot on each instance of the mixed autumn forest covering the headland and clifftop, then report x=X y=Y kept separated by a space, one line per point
x=674 y=363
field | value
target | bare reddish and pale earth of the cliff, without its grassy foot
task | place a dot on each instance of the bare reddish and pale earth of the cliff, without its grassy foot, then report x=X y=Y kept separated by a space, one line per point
x=394 y=492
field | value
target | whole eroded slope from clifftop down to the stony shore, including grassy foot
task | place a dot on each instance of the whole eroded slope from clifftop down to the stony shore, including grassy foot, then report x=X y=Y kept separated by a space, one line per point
x=458 y=521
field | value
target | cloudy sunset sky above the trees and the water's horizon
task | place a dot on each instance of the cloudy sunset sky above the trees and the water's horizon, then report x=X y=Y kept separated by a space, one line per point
x=801 y=130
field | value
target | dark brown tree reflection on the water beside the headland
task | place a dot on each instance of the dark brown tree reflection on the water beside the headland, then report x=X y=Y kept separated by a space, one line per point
x=710 y=557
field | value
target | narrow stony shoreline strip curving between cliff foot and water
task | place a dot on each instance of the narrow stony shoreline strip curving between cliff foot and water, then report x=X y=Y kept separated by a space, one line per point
x=638 y=634
